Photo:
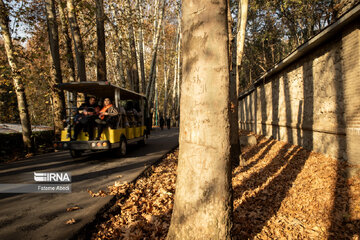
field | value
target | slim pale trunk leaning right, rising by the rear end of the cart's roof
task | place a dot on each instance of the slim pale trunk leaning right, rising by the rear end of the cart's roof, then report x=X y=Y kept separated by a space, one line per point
x=155 y=48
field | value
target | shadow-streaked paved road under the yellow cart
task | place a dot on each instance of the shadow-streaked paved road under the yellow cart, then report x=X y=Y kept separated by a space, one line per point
x=43 y=215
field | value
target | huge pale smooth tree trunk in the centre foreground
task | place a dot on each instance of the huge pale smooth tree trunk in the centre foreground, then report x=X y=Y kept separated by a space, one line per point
x=203 y=207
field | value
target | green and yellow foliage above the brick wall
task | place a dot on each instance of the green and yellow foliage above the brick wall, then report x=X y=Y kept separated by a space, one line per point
x=275 y=28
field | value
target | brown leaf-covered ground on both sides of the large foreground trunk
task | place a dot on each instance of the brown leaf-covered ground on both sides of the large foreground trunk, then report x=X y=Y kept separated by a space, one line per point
x=283 y=192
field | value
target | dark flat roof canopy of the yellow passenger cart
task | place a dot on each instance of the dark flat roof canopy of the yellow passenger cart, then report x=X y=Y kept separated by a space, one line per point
x=100 y=90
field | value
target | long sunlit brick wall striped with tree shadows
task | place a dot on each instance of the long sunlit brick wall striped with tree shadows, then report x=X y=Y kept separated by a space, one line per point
x=314 y=100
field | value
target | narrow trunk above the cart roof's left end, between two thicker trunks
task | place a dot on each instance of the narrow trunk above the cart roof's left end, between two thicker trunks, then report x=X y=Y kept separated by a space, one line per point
x=68 y=47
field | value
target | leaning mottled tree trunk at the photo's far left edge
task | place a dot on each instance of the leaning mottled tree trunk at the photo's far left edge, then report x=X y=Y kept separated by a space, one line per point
x=17 y=78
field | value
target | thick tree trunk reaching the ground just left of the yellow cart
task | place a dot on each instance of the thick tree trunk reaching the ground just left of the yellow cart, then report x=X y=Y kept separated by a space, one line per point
x=56 y=76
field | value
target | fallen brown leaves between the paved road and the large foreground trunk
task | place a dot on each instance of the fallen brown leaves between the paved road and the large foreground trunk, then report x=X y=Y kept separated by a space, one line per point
x=145 y=210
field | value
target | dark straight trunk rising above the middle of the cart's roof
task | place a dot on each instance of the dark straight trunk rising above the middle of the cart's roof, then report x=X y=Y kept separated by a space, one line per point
x=101 y=54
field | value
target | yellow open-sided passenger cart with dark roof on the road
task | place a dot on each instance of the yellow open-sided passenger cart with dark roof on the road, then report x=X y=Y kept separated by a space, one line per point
x=116 y=138
